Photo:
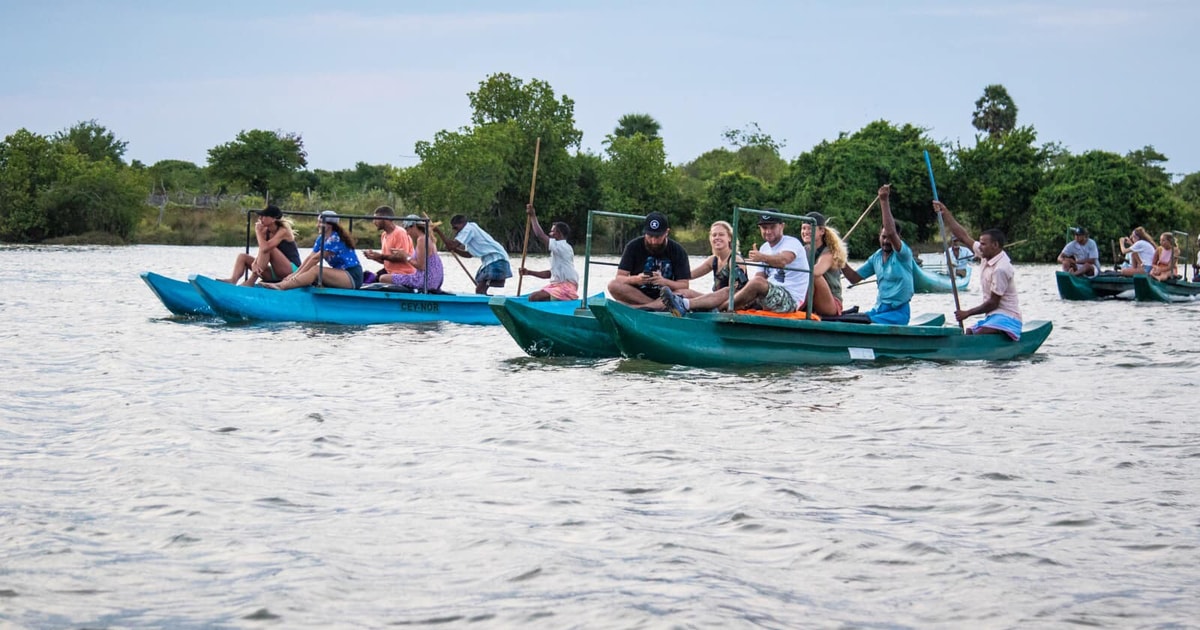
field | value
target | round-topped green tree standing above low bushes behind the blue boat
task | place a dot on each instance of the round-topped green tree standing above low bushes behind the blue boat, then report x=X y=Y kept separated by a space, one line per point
x=262 y=161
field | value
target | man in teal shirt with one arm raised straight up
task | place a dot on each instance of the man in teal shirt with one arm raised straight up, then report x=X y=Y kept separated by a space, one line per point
x=893 y=263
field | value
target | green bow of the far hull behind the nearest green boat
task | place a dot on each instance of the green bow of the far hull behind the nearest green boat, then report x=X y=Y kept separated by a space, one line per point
x=541 y=332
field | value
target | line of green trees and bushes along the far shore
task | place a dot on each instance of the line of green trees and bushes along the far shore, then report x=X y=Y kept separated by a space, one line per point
x=77 y=182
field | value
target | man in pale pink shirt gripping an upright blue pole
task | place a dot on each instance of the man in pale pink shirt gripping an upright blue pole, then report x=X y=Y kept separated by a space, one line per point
x=998 y=279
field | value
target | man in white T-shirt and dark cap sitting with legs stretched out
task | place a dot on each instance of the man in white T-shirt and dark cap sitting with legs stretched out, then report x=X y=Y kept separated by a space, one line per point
x=779 y=287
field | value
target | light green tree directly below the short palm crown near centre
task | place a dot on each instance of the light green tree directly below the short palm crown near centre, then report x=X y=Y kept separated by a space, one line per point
x=639 y=181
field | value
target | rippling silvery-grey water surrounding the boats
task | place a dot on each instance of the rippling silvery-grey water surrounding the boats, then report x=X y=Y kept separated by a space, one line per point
x=195 y=475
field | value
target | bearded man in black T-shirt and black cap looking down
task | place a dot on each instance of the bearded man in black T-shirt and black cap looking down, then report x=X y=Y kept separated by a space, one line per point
x=649 y=265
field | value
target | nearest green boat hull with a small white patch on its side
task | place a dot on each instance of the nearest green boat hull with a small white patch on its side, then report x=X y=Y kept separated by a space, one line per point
x=733 y=340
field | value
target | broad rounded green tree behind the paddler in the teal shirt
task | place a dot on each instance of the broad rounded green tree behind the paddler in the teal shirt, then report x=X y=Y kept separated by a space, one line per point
x=841 y=178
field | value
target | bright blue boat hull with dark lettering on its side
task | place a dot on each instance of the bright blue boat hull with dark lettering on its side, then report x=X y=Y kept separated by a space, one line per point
x=320 y=305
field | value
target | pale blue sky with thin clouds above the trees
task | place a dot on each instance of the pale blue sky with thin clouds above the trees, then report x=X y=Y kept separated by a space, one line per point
x=365 y=81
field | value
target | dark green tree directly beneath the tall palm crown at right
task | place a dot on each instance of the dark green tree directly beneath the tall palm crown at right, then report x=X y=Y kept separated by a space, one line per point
x=994 y=183
